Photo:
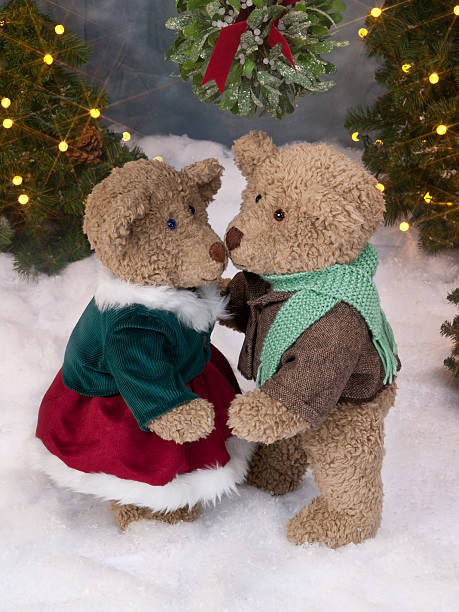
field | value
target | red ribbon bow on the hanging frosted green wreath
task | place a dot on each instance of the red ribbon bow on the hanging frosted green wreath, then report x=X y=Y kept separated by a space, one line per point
x=227 y=44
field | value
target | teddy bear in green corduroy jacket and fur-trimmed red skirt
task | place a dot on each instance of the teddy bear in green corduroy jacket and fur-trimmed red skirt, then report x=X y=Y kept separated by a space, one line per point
x=138 y=413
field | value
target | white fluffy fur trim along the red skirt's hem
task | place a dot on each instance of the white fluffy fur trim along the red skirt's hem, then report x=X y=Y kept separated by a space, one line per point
x=205 y=485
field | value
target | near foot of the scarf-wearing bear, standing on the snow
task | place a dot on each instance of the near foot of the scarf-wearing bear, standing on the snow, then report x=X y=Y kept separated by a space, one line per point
x=318 y=523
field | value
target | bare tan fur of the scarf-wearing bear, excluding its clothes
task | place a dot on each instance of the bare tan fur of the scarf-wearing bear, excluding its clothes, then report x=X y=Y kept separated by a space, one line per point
x=330 y=209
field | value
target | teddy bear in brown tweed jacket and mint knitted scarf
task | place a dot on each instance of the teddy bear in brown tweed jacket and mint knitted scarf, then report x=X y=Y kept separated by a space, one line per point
x=316 y=342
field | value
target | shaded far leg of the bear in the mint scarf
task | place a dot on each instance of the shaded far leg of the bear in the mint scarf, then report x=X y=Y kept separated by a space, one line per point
x=279 y=467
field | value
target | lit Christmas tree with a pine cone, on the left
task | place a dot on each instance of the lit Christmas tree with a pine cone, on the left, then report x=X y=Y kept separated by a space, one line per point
x=53 y=149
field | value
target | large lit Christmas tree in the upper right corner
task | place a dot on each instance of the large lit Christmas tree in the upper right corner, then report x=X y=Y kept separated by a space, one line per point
x=410 y=133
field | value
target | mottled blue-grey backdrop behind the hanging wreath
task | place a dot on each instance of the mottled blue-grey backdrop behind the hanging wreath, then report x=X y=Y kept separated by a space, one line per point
x=129 y=40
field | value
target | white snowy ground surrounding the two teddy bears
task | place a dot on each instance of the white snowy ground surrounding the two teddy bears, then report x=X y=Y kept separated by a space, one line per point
x=61 y=551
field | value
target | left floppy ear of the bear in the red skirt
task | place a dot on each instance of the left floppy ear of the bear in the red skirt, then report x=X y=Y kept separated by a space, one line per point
x=108 y=222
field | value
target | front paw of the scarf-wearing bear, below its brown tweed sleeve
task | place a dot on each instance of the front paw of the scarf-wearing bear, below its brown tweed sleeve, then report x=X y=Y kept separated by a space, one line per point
x=256 y=417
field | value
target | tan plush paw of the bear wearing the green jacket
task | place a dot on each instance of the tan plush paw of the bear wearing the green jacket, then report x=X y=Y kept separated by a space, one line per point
x=186 y=423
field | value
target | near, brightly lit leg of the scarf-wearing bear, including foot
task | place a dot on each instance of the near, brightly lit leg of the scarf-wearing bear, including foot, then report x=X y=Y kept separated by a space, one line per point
x=346 y=455
